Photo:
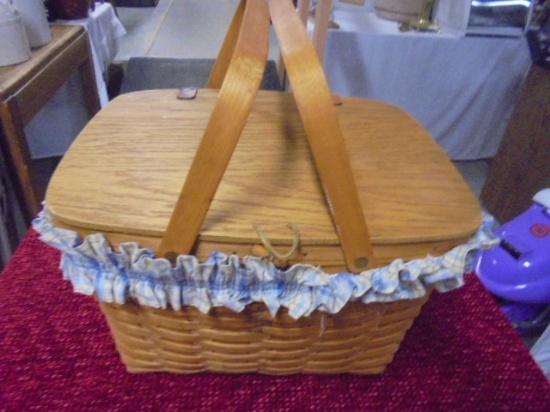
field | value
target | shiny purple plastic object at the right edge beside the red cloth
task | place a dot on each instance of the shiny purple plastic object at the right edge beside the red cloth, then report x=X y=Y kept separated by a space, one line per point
x=518 y=268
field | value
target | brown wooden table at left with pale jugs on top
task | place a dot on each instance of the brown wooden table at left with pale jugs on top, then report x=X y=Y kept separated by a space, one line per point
x=25 y=89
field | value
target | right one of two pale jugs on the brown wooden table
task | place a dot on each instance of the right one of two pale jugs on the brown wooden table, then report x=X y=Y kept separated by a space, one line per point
x=35 y=21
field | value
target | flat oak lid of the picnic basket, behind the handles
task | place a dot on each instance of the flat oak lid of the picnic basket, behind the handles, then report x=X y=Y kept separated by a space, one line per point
x=123 y=174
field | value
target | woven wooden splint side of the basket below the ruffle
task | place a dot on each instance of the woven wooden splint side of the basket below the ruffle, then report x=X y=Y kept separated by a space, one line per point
x=360 y=339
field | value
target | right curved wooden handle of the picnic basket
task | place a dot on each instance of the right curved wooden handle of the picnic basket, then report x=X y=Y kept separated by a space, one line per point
x=314 y=101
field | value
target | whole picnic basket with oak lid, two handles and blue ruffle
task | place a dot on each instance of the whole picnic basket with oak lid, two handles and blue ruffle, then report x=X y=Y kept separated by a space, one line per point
x=165 y=264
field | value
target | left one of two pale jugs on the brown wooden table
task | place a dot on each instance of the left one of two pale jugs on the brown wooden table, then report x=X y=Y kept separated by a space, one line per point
x=14 y=45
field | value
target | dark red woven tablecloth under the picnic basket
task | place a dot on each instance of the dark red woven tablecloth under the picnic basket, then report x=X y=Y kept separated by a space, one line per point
x=56 y=354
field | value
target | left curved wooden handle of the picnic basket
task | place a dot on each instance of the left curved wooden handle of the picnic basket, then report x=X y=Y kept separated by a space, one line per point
x=241 y=81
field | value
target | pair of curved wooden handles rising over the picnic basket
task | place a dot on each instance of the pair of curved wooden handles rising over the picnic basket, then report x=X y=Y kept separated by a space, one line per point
x=240 y=77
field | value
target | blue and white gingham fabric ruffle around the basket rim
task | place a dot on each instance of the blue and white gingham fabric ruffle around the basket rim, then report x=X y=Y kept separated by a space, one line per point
x=94 y=267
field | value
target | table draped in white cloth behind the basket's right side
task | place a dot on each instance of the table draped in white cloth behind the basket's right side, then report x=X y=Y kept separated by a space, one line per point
x=463 y=90
